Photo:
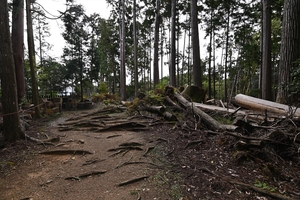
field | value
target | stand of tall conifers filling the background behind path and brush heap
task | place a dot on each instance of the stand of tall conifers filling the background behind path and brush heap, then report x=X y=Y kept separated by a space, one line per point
x=251 y=48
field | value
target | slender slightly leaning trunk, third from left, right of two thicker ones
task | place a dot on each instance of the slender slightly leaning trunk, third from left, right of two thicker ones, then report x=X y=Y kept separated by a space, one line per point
x=31 y=53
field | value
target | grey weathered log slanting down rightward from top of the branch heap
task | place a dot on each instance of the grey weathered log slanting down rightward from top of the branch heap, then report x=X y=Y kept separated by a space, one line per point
x=208 y=120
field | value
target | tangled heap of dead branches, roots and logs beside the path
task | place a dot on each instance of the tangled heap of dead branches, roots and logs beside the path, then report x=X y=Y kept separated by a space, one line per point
x=253 y=130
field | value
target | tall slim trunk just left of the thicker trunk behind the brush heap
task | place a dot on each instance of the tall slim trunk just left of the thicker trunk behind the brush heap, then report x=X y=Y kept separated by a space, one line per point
x=173 y=47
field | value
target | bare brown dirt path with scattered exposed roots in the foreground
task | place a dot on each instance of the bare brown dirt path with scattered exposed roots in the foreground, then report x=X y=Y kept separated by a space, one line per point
x=40 y=176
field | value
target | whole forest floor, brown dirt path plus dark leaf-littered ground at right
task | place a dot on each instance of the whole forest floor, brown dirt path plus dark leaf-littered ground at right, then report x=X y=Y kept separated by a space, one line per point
x=160 y=162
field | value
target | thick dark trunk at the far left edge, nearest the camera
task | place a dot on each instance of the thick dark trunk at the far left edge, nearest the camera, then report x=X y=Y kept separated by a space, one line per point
x=11 y=121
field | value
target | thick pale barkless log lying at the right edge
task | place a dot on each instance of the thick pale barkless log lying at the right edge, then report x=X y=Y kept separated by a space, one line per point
x=253 y=103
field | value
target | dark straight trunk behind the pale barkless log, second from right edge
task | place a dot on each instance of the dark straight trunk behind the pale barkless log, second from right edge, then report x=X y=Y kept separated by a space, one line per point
x=266 y=57
